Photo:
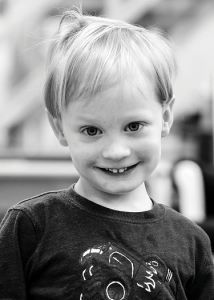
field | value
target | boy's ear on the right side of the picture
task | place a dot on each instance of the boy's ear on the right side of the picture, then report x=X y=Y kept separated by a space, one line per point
x=167 y=117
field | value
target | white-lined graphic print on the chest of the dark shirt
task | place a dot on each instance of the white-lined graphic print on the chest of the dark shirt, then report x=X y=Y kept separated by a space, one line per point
x=111 y=273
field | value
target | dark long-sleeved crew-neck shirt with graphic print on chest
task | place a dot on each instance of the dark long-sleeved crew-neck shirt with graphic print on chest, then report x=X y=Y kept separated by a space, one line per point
x=59 y=245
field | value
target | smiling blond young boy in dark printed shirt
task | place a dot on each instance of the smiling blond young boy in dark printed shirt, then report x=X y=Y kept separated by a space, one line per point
x=109 y=98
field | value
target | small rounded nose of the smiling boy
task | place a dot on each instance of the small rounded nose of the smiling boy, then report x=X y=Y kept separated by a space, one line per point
x=116 y=151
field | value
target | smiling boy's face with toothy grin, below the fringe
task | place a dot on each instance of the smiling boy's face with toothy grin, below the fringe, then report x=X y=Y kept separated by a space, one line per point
x=115 y=139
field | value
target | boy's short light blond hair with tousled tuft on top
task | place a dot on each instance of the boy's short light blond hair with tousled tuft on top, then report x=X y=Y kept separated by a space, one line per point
x=89 y=54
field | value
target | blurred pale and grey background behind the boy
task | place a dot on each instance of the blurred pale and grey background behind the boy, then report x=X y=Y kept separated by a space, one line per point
x=32 y=161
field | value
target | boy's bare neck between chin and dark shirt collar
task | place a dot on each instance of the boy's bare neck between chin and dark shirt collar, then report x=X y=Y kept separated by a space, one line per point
x=137 y=200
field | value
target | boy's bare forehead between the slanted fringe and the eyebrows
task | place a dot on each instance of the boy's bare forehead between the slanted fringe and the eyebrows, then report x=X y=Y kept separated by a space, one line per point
x=121 y=97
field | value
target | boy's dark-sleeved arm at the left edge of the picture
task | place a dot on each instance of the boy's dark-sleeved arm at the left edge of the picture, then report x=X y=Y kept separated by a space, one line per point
x=17 y=244
